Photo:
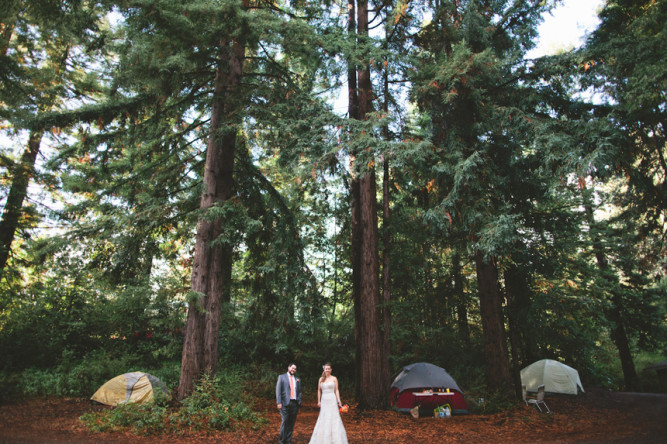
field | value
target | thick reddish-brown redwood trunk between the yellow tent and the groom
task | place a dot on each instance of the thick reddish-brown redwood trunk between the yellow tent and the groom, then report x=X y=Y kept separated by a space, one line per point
x=212 y=262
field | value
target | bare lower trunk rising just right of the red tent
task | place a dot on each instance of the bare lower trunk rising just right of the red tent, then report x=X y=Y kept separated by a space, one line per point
x=490 y=306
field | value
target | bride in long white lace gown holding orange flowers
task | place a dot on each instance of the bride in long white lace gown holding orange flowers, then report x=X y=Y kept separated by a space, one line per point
x=329 y=428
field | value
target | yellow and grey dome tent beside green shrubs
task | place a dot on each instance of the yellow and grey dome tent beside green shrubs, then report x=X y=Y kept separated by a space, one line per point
x=128 y=388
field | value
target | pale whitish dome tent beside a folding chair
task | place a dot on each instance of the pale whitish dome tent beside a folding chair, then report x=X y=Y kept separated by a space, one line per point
x=555 y=376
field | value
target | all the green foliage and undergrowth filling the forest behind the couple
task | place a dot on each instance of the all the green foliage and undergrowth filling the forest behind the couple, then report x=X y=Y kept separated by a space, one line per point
x=493 y=151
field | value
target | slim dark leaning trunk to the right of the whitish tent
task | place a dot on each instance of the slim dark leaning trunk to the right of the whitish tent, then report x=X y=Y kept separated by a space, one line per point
x=614 y=313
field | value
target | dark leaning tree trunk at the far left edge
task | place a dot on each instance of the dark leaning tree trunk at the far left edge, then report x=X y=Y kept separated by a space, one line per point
x=11 y=214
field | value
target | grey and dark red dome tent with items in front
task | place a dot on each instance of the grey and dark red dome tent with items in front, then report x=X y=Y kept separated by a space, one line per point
x=426 y=386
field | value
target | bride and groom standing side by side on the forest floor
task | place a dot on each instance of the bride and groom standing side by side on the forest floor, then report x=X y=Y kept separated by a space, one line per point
x=329 y=428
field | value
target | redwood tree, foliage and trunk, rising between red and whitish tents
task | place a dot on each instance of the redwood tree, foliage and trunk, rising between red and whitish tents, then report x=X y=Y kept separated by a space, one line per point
x=483 y=111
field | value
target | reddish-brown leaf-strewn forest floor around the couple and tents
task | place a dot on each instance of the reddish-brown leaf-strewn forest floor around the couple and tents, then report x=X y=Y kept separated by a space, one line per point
x=599 y=416
